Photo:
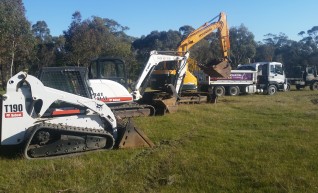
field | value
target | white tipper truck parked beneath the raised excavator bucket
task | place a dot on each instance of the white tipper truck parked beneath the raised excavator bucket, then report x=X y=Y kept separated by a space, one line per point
x=260 y=77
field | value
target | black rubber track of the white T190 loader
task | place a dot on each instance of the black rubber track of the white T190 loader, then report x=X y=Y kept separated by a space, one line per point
x=51 y=140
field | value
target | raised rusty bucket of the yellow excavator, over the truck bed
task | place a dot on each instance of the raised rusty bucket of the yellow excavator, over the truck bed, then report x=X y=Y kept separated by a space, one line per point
x=217 y=69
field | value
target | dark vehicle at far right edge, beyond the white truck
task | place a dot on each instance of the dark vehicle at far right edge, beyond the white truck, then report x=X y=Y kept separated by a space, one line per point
x=302 y=77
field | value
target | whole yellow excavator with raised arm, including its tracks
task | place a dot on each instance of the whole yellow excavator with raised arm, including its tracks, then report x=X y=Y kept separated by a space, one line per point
x=189 y=83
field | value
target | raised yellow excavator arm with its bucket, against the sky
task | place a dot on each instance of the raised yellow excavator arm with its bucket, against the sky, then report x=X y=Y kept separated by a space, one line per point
x=218 y=68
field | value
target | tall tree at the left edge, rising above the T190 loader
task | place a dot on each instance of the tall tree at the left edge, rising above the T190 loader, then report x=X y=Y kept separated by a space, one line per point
x=16 y=39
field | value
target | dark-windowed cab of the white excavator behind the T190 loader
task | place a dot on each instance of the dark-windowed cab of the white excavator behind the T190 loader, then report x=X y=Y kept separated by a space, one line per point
x=108 y=68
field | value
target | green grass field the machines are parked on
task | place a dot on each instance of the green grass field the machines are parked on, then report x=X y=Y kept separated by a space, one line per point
x=252 y=143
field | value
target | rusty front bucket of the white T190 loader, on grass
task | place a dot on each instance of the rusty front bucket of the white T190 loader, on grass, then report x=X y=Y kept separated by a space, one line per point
x=131 y=137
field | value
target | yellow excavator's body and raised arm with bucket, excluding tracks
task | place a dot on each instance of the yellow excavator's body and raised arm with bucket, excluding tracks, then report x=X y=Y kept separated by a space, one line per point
x=217 y=68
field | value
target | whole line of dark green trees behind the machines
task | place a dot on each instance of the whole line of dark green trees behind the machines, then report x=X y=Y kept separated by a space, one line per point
x=24 y=46
